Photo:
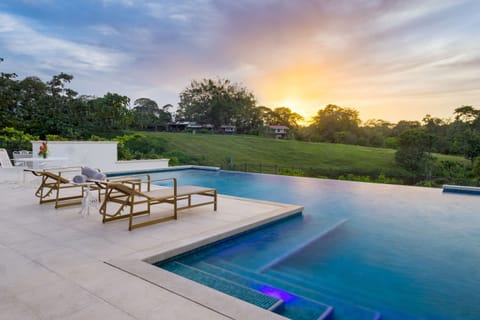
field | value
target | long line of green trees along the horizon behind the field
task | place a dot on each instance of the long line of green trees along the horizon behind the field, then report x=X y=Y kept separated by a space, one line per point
x=38 y=108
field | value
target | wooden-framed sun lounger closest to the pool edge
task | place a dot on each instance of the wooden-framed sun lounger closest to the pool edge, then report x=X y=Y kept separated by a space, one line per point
x=126 y=196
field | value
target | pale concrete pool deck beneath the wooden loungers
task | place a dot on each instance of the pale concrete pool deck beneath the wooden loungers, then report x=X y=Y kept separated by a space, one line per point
x=58 y=264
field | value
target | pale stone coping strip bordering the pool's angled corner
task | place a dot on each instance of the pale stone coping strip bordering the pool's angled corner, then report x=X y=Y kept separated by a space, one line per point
x=141 y=264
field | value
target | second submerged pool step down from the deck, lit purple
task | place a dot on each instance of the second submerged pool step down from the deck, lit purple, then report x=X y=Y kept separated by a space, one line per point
x=310 y=309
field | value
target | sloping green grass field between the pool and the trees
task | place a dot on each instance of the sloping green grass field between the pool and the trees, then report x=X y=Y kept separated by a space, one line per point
x=216 y=150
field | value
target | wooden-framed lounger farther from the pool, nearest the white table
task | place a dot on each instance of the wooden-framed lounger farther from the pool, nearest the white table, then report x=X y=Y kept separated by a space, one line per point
x=52 y=184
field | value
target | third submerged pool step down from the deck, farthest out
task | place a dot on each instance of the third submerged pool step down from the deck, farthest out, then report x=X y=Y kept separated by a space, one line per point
x=343 y=309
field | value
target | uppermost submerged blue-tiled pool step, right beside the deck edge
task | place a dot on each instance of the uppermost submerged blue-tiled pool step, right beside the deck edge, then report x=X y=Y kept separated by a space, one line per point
x=223 y=285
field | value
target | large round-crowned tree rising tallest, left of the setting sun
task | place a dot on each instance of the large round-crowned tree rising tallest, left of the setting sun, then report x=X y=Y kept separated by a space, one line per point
x=216 y=102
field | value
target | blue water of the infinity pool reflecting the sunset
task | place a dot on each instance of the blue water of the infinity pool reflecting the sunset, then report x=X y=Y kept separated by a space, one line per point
x=363 y=249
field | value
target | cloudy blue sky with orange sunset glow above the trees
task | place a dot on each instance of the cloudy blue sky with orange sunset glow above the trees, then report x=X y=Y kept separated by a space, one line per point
x=389 y=59
